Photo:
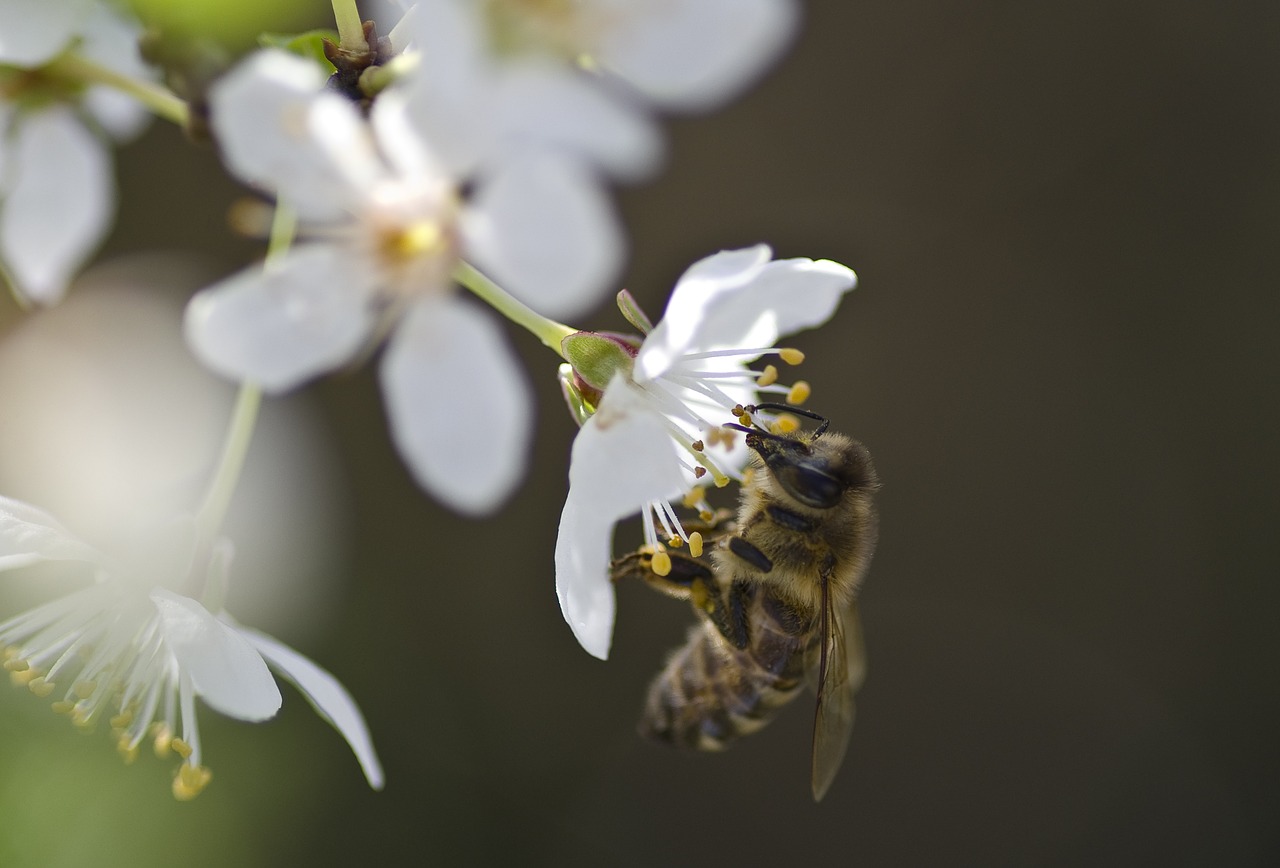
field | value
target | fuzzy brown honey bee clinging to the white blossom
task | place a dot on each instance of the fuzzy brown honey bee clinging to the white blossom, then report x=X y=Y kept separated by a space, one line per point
x=778 y=602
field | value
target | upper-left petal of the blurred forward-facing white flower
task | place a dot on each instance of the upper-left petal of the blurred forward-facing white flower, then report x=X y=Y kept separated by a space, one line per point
x=284 y=133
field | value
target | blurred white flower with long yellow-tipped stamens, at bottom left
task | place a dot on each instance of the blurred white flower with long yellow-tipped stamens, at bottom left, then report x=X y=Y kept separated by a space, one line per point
x=132 y=652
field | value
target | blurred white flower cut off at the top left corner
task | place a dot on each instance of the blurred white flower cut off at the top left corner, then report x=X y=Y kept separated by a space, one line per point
x=57 y=186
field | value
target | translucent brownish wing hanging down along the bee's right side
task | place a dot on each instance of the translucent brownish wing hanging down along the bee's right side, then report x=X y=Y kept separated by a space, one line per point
x=840 y=669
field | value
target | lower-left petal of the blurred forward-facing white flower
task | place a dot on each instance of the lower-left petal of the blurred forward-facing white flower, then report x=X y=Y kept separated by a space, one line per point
x=280 y=327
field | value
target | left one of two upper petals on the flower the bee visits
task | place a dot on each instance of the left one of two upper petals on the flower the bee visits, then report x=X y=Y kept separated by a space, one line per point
x=697 y=293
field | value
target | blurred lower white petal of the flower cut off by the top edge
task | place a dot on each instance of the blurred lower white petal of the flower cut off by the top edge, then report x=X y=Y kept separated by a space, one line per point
x=565 y=111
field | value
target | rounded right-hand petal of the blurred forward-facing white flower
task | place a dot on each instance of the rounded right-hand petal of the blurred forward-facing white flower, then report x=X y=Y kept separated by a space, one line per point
x=543 y=229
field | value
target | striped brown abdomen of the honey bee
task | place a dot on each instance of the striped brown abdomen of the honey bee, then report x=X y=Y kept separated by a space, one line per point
x=711 y=693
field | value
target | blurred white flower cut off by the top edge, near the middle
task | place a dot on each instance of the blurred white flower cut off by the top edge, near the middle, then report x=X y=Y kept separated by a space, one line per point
x=508 y=75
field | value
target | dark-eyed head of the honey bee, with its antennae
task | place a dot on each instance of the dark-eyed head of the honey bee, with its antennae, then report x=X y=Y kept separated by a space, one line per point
x=804 y=473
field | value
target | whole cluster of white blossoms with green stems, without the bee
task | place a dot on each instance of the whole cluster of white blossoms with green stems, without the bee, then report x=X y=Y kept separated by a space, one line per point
x=420 y=188
